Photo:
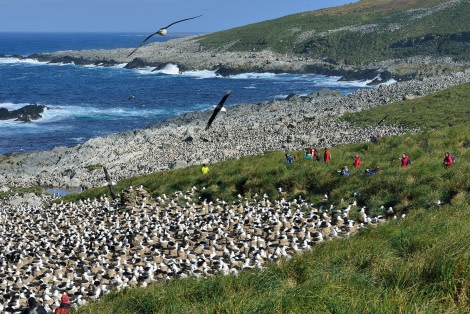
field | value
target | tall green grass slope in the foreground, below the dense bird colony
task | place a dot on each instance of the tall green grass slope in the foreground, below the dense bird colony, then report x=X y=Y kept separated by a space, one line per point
x=418 y=264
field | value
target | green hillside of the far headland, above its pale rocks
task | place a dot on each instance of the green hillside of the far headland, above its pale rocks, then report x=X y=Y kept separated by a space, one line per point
x=361 y=32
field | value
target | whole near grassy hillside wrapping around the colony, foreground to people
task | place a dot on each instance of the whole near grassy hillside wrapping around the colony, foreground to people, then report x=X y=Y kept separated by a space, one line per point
x=419 y=264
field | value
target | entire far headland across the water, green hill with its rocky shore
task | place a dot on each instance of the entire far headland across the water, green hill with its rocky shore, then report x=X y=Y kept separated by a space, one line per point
x=394 y=39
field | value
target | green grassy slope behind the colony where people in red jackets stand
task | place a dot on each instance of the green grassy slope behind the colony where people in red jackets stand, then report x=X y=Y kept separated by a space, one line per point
x=443 y=115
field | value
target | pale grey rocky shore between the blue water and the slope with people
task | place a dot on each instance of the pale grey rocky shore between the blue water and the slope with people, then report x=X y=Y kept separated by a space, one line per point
x=245 y=129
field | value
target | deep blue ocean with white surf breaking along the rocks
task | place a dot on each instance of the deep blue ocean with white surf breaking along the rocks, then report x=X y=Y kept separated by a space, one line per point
x=89 y=101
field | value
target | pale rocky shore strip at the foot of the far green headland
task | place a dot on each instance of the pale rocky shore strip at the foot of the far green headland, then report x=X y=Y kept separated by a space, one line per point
x=188 y=54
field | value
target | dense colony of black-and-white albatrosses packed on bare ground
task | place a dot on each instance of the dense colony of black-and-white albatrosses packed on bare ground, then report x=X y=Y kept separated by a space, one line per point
x=90 y=247
